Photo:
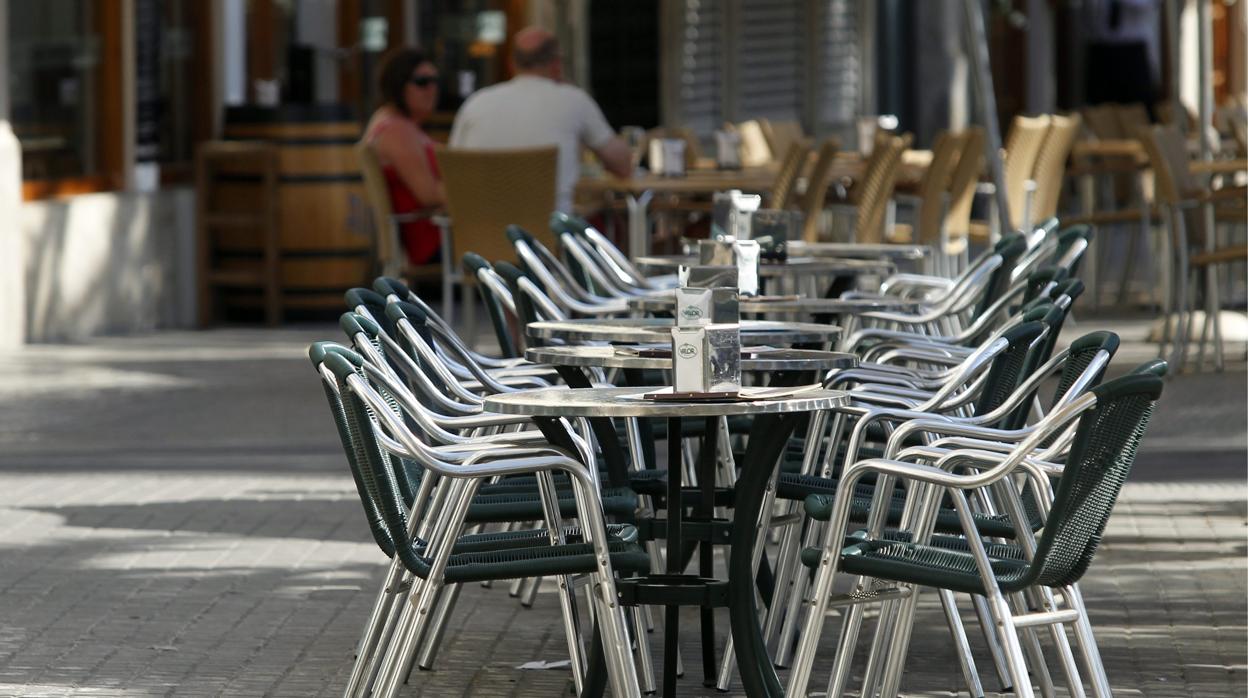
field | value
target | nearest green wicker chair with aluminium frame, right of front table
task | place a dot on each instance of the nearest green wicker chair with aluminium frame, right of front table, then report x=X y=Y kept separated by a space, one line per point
x=1113 y=419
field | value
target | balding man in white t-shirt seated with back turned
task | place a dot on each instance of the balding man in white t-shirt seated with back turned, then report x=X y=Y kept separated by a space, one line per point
x=535 y=109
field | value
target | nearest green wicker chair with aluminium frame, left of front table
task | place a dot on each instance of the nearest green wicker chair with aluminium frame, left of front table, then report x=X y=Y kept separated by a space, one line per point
x=422 y=531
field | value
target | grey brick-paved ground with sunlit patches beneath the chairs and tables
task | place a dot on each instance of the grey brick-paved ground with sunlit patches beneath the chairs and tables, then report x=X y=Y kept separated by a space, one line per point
x=175 y=519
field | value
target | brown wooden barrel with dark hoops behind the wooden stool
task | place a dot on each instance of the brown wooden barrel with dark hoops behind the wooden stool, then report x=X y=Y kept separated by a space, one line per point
x=325 y=250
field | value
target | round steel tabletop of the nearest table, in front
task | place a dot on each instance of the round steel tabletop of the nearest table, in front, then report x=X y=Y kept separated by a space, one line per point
x=628 y=403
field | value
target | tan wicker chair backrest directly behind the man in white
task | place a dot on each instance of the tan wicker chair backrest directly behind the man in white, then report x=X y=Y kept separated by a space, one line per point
x=487 y=190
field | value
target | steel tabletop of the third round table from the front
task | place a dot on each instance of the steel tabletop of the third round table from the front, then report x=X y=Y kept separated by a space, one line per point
x=658 y=332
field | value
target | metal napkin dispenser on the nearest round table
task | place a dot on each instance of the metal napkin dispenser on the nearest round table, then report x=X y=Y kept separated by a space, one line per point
x=707 y=360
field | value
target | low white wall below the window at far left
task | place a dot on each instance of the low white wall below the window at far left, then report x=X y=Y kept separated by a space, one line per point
x=109 y=264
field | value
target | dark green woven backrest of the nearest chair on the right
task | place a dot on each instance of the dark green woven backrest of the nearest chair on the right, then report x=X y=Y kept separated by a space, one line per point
x=1101 y=456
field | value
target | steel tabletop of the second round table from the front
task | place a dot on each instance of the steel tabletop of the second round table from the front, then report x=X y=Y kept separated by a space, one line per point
x=623 y=358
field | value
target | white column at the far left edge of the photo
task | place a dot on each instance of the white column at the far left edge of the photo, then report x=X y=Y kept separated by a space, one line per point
x=13 y=249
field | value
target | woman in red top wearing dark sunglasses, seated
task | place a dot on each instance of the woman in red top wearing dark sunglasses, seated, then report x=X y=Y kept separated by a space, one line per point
x=409 y=89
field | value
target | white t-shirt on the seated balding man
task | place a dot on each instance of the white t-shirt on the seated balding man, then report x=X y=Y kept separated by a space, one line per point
x=530 y=112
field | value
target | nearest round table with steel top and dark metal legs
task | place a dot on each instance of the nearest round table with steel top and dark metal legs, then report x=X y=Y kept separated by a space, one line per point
x=774 y=423
